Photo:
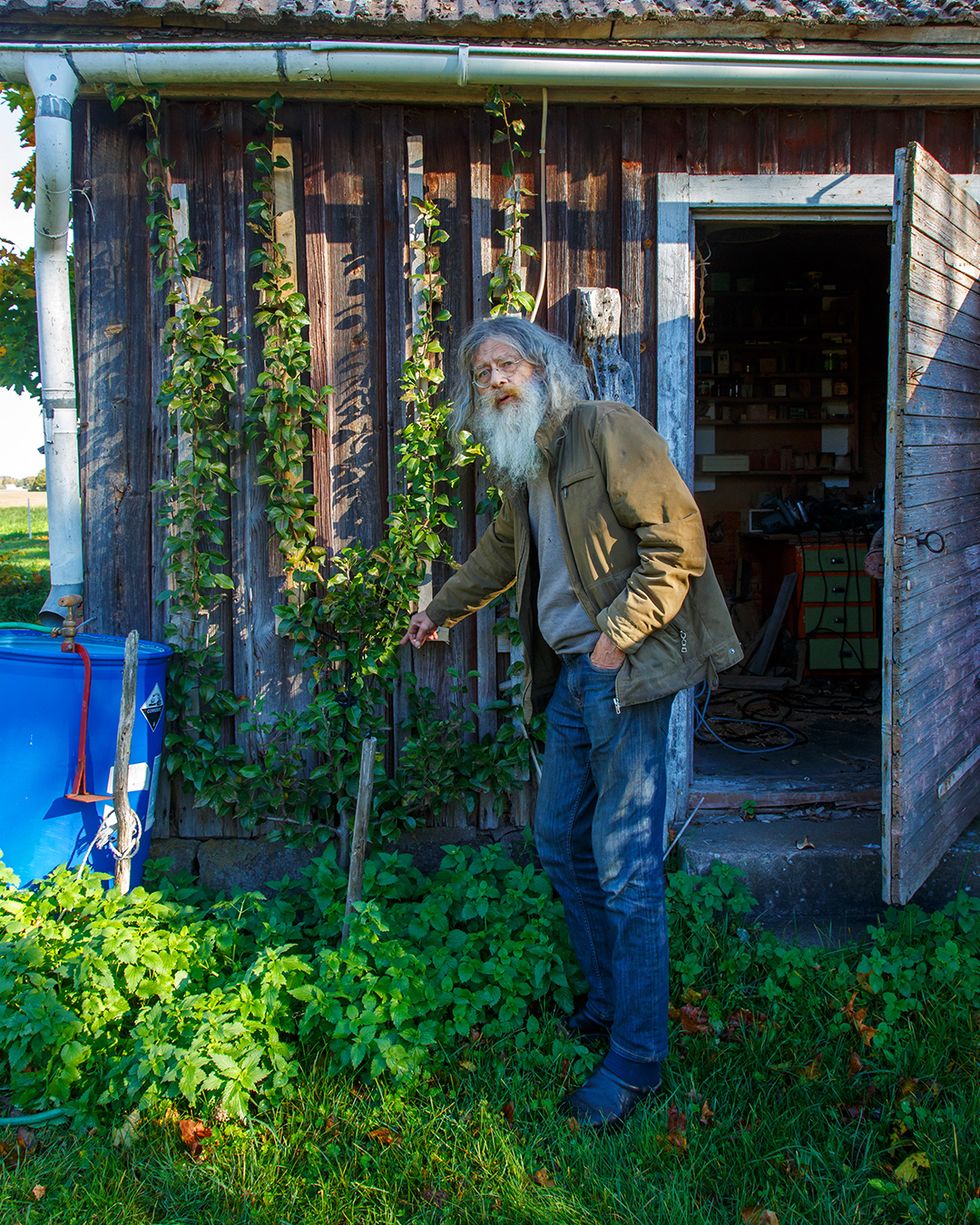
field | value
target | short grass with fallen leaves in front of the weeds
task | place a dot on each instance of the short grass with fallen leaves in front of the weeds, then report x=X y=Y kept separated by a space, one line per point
x=744 y=1130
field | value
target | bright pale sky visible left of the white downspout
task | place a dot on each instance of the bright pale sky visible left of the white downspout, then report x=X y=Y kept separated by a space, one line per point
x=20 y=416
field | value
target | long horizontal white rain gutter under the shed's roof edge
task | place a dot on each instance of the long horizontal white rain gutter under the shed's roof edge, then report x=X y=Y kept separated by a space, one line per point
x=210 y=66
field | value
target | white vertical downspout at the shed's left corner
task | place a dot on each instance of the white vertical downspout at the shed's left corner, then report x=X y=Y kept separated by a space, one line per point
x=56 y=88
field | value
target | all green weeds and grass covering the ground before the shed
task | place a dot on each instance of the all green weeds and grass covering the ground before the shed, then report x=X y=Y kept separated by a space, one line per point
x=241 y=1066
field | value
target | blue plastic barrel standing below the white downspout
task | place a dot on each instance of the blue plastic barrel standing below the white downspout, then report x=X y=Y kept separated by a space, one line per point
x=41 y=700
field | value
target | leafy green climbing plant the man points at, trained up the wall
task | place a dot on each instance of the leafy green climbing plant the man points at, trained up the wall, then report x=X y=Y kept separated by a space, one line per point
x=344 y=617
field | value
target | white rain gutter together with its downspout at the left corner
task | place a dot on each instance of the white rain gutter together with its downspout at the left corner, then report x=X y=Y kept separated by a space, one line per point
x=56 y=73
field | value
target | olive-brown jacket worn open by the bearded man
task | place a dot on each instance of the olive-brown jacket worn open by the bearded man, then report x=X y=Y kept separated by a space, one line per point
x=635 y=548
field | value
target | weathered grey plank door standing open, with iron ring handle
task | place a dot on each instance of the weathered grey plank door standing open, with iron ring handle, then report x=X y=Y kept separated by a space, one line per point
x=930 y=710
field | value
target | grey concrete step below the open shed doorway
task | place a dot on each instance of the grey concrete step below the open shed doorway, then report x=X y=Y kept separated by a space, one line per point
x=834 y=883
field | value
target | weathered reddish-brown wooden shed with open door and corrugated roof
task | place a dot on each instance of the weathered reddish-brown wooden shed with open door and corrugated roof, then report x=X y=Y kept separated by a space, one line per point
x=785 y=198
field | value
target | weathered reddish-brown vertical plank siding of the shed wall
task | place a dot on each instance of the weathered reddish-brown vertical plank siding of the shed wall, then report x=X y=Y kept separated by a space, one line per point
x=352 y=237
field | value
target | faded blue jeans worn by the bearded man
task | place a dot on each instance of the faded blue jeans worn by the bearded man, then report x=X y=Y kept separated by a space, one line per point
x=600 y=827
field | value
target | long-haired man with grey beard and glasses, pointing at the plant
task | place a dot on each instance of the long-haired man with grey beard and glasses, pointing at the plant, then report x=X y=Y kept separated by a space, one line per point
x=619 y=609
